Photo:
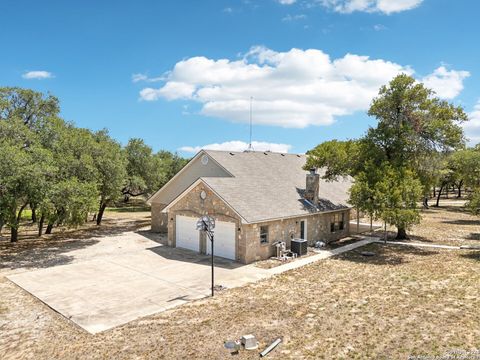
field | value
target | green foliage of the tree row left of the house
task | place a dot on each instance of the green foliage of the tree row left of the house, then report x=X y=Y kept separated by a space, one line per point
x=65 y=172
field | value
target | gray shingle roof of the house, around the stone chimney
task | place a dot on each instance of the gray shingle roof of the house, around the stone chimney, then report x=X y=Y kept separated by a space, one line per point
x=270 y=185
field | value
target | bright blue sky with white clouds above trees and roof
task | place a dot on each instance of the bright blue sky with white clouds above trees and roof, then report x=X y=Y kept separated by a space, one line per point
x=180 y=74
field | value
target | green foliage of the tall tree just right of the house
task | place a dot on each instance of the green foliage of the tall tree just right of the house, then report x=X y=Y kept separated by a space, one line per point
x=398 y=160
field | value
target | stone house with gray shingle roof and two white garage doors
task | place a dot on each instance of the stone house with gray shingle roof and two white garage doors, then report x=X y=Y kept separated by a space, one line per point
x=256 y=198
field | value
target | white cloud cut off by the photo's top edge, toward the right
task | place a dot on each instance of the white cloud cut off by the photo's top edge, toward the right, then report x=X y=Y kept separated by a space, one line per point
x=383 y=6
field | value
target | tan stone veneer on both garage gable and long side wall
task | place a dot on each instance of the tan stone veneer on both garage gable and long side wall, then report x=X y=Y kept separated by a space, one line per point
x=248 y=247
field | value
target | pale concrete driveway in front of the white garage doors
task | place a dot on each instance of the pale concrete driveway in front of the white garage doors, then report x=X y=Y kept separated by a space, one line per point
x=123 y=277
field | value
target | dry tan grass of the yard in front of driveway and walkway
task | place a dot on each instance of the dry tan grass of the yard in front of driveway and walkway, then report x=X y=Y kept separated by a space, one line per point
x=402 y=301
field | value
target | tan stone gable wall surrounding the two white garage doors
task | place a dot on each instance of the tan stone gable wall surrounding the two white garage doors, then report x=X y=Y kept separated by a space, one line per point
x=193 y=205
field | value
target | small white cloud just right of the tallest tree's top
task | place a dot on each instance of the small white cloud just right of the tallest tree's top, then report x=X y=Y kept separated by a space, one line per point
x=446 y=83
